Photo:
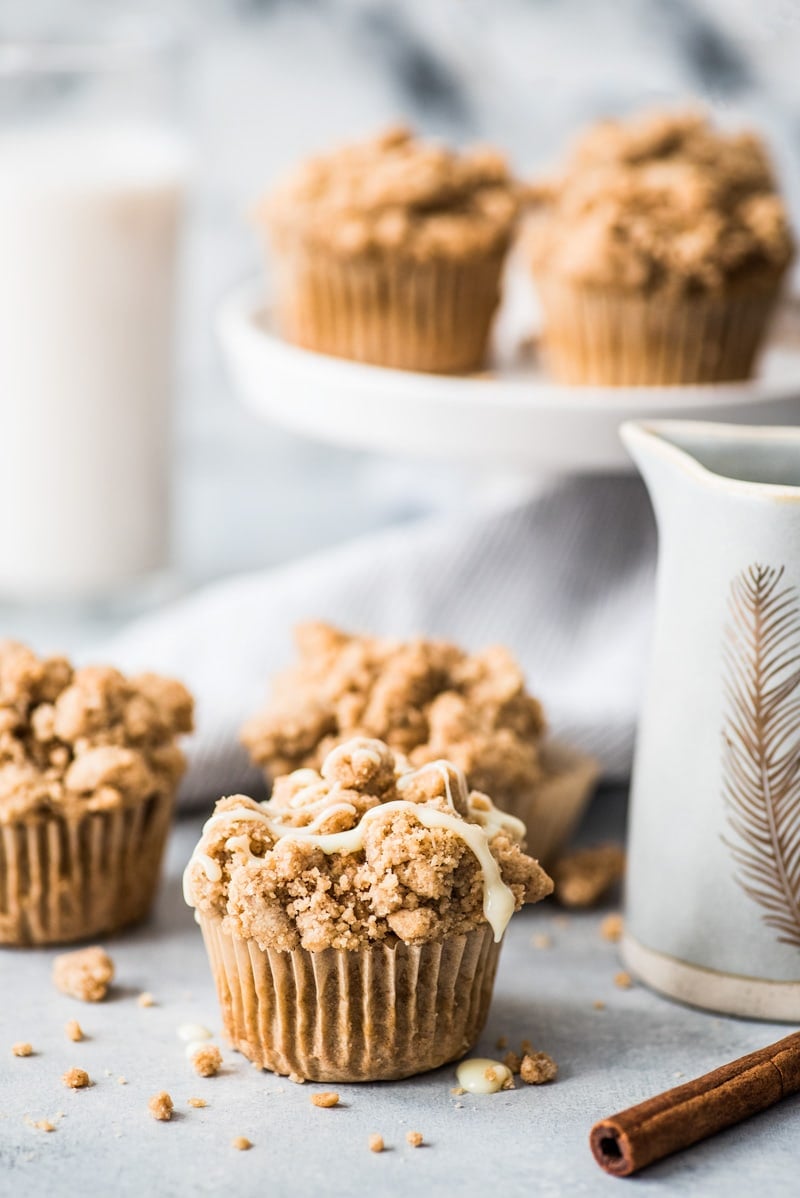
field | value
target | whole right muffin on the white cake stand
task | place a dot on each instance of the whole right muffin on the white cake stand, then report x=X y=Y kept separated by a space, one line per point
x=659 y=255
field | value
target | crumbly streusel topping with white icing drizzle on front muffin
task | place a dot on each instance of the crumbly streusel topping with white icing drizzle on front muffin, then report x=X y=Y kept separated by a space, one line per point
x=363 y=851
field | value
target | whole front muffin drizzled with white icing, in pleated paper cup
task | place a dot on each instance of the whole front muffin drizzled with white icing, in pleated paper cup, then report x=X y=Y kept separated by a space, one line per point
x=354 y=922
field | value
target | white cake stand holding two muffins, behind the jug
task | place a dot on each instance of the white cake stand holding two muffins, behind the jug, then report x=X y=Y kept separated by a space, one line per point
x=511 y=418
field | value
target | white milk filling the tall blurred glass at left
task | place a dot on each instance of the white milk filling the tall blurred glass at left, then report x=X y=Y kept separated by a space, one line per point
x=89 y=223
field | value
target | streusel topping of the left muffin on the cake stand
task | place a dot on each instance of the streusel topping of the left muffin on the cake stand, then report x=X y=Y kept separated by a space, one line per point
x=393 y=193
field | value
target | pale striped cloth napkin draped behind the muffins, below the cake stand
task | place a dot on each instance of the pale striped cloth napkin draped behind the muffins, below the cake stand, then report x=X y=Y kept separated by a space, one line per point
x=565 y=580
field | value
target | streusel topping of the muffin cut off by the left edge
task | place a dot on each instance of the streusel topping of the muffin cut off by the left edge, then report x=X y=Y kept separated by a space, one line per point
x=88 y=740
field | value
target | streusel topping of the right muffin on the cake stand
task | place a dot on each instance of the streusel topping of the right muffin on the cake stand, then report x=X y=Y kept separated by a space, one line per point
x=664 y=201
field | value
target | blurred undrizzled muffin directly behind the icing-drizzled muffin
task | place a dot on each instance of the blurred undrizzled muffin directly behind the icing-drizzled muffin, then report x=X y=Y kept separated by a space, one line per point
x=427 y=700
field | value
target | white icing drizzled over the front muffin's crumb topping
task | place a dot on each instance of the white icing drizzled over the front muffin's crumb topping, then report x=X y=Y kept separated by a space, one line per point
x=499 y=899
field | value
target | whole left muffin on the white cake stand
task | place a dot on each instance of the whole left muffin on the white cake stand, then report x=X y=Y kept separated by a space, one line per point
x=391 y=252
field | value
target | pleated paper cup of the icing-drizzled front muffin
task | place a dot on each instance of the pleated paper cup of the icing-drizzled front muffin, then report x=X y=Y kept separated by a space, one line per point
x=377 y=1014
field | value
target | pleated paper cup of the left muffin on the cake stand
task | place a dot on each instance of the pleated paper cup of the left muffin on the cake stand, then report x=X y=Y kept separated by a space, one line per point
x=433 y=316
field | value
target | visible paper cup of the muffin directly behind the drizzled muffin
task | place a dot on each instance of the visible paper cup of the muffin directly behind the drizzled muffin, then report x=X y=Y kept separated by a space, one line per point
x=554 y=809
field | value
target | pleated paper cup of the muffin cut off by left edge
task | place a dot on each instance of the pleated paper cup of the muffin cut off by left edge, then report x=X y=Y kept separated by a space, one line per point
x=66 y=879
